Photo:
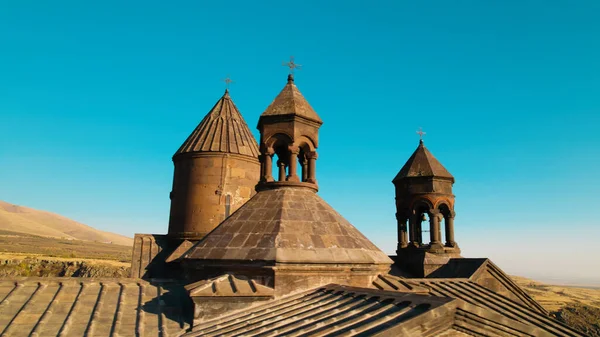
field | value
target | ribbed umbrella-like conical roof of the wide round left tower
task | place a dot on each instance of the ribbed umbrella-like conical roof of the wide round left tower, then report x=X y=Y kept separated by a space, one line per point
x=223 y=129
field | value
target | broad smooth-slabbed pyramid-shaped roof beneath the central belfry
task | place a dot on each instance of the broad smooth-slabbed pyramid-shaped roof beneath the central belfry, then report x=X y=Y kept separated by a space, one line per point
x=291 y=225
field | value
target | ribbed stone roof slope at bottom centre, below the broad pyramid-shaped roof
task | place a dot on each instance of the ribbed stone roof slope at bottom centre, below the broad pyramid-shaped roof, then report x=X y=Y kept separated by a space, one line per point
x=337 y=311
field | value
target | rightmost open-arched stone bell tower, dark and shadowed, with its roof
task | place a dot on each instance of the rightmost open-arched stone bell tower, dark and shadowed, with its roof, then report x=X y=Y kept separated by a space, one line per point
x=424 y=193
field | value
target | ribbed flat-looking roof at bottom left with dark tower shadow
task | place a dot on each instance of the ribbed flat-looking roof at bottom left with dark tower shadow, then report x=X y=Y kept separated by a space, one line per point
x=91 y=307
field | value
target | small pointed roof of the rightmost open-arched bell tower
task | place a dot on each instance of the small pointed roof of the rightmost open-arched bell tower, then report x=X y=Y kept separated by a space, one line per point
x=422 y=164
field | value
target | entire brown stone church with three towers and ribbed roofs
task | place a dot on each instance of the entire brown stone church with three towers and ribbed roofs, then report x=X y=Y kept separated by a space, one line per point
x=253 y=250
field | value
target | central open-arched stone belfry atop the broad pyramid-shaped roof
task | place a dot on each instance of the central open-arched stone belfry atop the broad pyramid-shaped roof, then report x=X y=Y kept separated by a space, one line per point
x=289 y=137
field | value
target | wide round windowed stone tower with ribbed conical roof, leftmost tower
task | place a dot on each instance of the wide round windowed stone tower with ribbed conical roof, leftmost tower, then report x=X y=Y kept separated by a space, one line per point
x=216 y=170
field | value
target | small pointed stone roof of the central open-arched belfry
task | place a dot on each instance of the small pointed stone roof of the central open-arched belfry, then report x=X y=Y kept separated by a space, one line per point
x=291 y=102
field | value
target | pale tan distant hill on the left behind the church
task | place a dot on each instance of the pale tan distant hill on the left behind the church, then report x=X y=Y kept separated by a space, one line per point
x=27 y=220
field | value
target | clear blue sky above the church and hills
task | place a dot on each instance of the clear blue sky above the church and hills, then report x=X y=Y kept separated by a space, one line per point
x=96 y=97
